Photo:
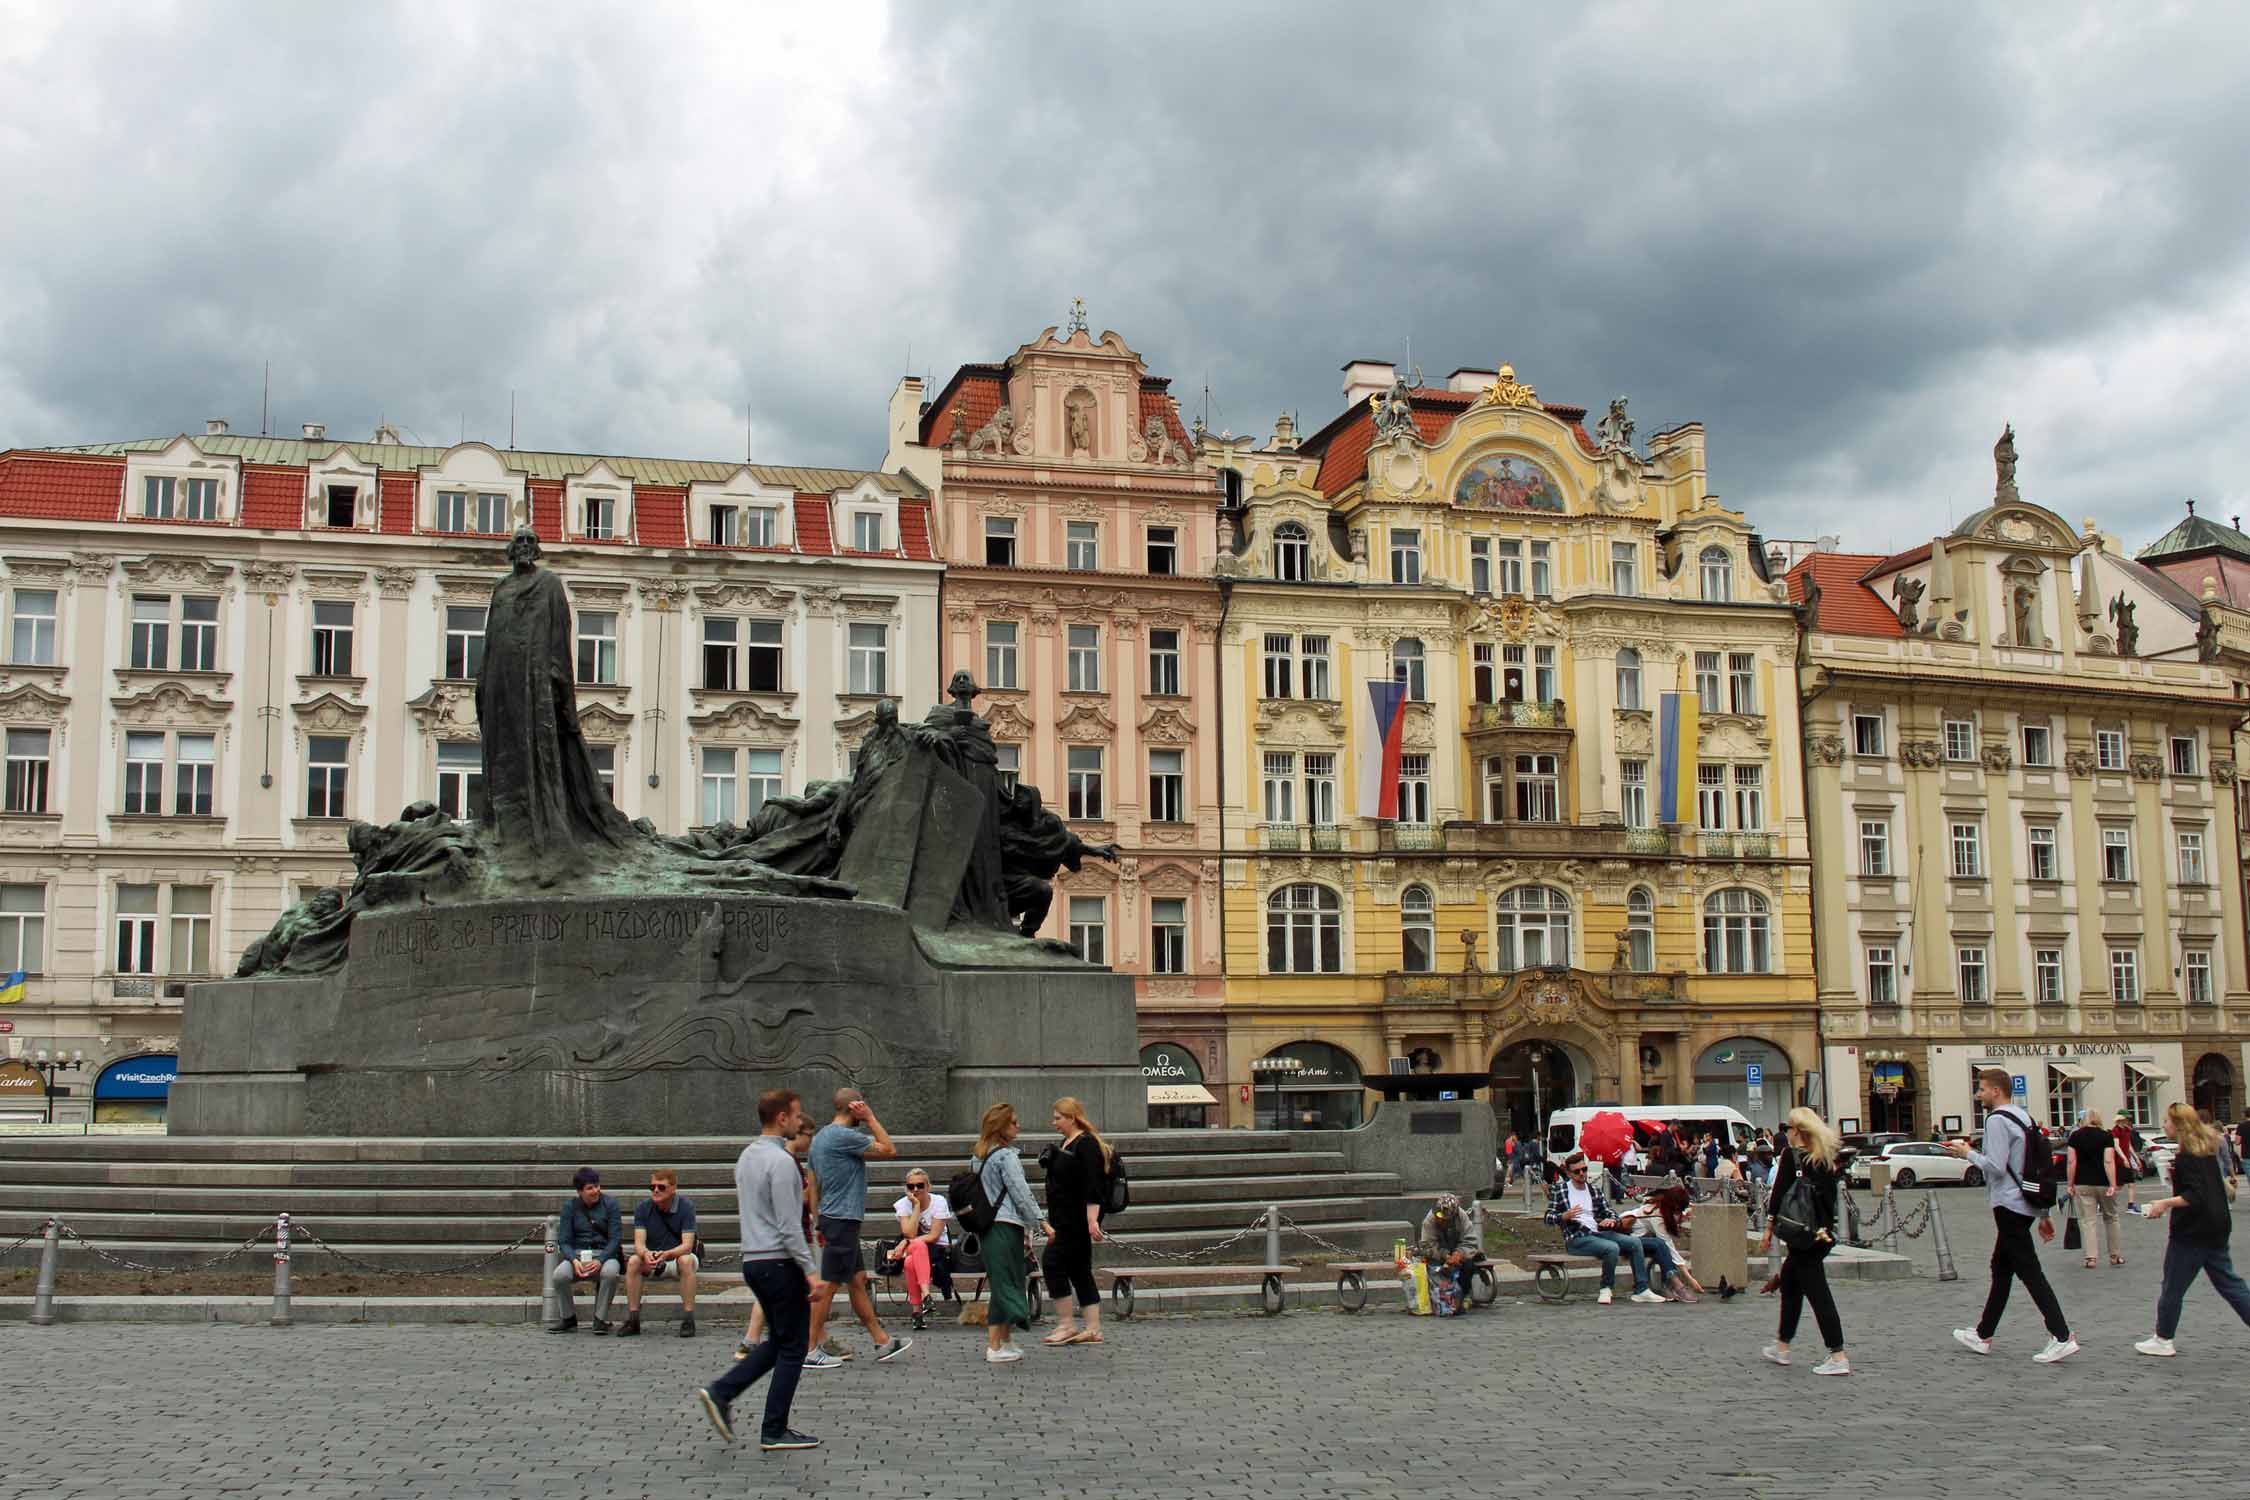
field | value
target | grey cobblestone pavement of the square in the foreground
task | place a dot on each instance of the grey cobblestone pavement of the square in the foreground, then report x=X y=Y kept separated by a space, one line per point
x=1524 y=1400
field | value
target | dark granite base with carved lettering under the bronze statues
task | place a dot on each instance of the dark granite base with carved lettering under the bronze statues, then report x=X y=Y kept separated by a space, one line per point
x=647 y=1018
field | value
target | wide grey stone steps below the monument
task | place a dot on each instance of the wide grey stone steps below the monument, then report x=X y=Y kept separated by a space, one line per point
x=426 y=1204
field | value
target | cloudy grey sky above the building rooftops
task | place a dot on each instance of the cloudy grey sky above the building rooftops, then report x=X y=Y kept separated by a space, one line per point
x=1851 y=240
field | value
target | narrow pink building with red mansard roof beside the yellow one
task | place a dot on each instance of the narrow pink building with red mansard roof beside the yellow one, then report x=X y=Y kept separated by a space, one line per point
x=1079 y=534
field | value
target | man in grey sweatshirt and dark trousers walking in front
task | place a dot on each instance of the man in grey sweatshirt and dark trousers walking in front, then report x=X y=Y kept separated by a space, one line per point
x=777 y=1267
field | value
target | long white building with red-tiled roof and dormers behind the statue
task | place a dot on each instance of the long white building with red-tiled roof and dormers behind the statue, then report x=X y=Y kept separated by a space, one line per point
x=222 y=651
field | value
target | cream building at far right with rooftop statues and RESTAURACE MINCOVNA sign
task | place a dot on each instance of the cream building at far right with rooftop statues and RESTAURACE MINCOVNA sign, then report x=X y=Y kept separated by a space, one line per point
x=2024 y=784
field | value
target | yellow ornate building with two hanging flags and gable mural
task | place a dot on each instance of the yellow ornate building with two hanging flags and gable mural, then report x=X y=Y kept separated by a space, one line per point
x=1531 y=907
